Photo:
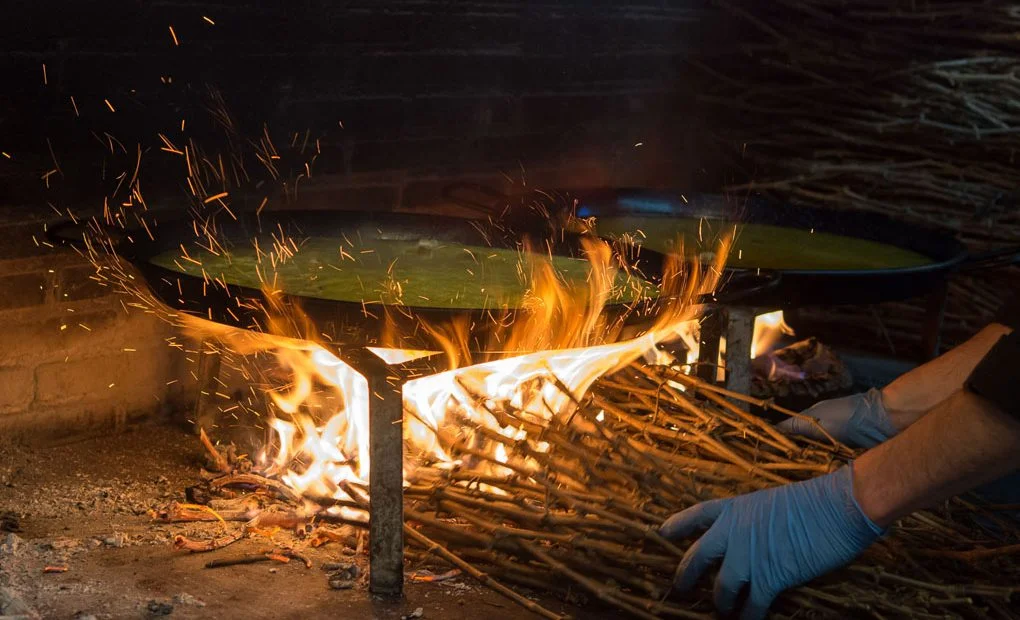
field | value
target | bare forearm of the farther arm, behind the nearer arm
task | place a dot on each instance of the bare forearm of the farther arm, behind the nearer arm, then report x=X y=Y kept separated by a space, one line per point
x=915 y=394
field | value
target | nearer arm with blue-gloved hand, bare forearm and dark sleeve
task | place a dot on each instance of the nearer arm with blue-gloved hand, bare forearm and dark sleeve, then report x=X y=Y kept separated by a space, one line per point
x=780 y=538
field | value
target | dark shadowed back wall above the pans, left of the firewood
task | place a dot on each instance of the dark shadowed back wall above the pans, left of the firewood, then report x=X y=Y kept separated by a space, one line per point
x=402 y=95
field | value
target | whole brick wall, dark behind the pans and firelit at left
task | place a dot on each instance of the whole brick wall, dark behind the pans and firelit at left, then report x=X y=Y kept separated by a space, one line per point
x=404 y=97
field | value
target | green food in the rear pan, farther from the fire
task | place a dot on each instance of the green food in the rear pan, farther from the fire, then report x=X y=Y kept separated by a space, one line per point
x=762 y=246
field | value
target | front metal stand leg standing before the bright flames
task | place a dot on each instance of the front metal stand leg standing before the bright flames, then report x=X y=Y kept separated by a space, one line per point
x=386 y=450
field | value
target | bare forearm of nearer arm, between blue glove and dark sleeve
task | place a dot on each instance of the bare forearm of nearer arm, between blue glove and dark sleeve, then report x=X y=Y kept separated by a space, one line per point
x=963 y=443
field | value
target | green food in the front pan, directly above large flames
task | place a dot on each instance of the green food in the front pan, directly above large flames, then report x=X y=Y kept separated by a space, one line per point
x=418 y=273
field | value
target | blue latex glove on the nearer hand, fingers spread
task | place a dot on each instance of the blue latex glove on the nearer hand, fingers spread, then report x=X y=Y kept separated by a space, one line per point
x=773 y=540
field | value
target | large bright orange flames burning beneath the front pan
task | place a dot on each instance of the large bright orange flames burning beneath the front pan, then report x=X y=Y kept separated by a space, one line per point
x=470 y=415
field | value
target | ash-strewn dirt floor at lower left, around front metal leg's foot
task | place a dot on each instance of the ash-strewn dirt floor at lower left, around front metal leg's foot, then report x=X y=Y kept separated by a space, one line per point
x=85 y=506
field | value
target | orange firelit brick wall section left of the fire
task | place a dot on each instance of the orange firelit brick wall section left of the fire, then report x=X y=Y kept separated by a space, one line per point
x=72 y=359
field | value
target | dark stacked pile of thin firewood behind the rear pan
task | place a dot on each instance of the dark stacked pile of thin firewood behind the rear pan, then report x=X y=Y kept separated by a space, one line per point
x=903 y=109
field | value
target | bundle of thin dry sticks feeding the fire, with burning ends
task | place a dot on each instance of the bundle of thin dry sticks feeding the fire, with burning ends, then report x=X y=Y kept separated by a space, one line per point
x=576 y=506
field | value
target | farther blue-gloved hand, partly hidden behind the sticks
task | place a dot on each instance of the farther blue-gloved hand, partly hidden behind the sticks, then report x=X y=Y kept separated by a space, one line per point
x=859 y=421
